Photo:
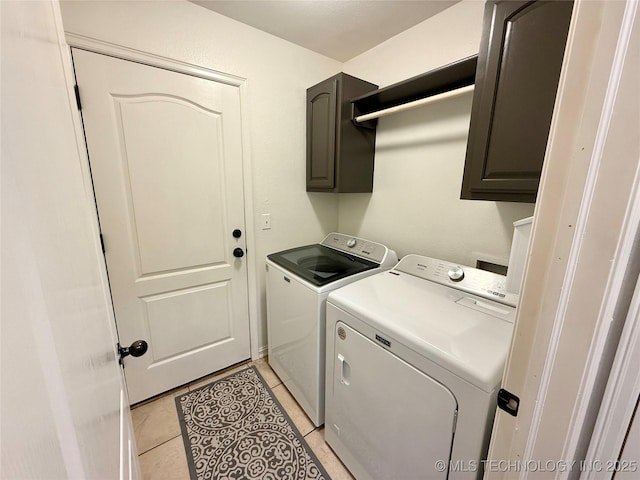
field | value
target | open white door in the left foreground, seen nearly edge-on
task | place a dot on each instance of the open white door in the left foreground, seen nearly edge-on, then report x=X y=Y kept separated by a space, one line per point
x=65 y=412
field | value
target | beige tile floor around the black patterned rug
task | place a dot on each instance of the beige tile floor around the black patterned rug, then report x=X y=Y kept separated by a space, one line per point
x=159 y=441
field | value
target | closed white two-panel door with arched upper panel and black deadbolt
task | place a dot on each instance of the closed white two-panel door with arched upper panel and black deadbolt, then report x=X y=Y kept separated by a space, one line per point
x=166 y=161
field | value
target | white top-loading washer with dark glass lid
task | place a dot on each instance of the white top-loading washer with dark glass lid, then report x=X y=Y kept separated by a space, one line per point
x=298 y=282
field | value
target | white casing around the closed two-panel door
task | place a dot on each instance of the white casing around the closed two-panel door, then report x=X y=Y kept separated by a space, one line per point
x=166 y=63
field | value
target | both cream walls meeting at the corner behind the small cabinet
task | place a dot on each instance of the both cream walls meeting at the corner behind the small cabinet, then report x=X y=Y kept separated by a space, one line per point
x=415 y=206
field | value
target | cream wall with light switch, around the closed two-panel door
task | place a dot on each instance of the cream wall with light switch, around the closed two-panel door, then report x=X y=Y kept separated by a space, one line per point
x=278 y=74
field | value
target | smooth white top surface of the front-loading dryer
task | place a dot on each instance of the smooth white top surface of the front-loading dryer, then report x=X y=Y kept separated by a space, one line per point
x=466 y=334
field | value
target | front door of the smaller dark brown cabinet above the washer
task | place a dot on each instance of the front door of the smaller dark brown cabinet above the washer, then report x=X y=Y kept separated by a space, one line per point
x=321 y=134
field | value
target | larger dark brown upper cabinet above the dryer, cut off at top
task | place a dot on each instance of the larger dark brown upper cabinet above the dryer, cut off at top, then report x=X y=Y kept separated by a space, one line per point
x=519 y=64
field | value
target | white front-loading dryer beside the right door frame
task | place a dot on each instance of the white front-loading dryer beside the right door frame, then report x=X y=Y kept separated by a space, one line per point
x=415 y=357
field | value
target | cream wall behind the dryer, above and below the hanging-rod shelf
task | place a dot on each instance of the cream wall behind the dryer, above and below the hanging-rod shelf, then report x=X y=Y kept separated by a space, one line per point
x=415 y=206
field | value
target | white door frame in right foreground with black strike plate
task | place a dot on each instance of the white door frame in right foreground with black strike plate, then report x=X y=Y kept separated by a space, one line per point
x=578 y=171
